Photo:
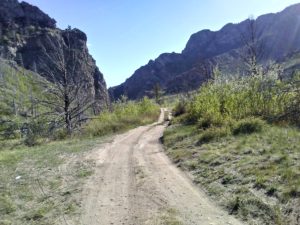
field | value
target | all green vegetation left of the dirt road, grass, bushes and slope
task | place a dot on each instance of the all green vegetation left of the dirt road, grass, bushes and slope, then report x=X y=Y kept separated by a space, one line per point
x=42 y=168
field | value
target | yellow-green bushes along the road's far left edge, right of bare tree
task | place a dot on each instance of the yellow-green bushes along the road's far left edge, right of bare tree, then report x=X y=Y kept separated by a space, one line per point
x=124 y=115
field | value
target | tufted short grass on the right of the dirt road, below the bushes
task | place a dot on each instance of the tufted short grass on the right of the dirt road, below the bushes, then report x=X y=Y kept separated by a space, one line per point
x=254 y=175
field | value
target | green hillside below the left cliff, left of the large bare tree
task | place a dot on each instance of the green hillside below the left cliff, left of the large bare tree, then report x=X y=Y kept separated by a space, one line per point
x=19 y=110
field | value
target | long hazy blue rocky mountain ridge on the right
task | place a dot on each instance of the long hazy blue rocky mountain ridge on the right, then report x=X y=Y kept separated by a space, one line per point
x=278 y=34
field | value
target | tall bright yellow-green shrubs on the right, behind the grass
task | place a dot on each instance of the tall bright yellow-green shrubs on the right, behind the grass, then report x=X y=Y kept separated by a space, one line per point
x=263 y=95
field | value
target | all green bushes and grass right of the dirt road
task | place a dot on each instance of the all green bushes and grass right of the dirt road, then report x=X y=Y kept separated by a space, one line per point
x=239 y=138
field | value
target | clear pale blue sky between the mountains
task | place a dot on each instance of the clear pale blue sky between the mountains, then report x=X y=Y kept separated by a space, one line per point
x=125 y=34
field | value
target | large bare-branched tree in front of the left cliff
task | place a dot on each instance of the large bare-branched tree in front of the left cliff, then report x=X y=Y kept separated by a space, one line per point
x=66 y=95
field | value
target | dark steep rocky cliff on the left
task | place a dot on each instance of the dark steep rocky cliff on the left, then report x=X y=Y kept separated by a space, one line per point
x=30 y=37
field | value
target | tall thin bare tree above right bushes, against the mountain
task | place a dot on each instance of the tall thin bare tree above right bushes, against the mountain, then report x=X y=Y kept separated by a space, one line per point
x=253 y=50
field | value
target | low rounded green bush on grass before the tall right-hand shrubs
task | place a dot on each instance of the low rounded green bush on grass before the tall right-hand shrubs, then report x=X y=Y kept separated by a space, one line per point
x=248 y=126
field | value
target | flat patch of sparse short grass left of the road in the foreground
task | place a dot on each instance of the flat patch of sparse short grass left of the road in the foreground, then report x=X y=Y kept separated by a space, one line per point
x=42 y=184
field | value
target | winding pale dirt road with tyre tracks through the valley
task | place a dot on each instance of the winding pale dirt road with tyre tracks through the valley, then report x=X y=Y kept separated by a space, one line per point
x=135 y=184
